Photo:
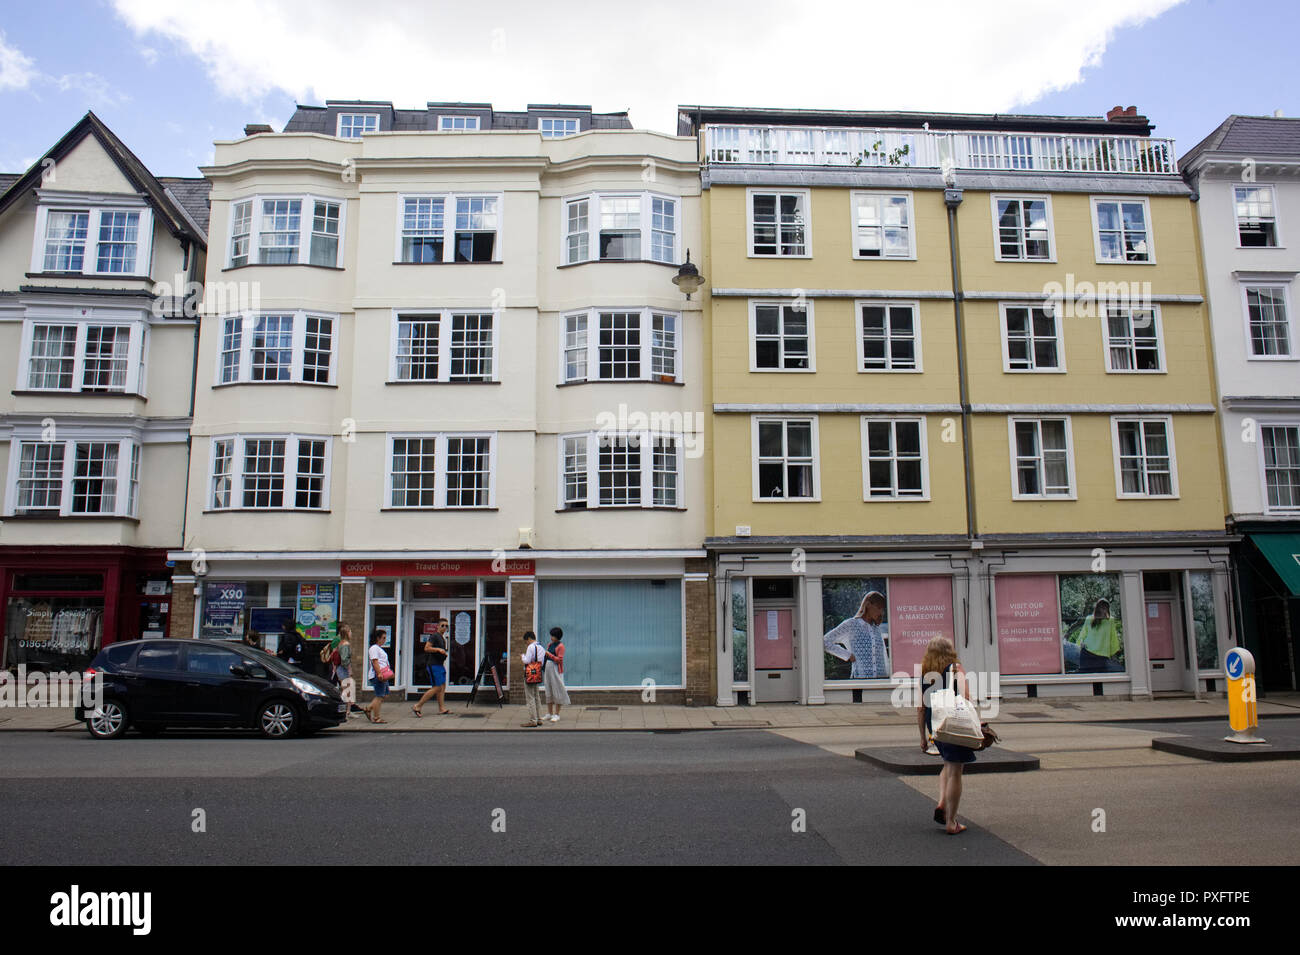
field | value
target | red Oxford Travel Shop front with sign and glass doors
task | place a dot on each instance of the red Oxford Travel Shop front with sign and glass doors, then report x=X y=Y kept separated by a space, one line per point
x=410 y=598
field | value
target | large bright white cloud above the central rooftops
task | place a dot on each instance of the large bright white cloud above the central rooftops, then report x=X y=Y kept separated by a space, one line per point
x=944 y=55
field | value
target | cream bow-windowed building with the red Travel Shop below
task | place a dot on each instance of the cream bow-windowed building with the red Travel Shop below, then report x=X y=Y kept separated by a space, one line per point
x=445 y=375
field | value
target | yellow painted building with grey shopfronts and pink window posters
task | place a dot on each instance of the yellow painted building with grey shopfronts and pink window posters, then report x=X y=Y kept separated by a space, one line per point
x=961 y=387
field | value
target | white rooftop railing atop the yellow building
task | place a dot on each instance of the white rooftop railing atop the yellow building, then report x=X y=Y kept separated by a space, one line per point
x=830 y=146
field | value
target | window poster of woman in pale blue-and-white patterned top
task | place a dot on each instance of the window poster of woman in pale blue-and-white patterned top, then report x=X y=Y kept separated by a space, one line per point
x=856 y=628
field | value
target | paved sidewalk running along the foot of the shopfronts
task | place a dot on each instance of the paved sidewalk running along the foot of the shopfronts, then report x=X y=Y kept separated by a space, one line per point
x=769 y=717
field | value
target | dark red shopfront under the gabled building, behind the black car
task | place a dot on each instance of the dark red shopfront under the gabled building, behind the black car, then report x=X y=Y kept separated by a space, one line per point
x=64 y=605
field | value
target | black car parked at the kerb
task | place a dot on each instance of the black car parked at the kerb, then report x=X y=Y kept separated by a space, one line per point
x=155 y=684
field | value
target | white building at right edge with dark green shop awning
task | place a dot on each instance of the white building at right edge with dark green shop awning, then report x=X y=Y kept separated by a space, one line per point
x=1245 y=176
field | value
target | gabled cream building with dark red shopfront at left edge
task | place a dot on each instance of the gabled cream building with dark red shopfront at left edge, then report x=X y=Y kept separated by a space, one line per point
x=101 y=272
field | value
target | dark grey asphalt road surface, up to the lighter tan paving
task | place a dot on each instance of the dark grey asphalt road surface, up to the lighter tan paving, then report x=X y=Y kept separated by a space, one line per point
x=612 y=798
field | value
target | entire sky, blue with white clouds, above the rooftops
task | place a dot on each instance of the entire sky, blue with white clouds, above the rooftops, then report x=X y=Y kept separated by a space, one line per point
x=171 y=77
